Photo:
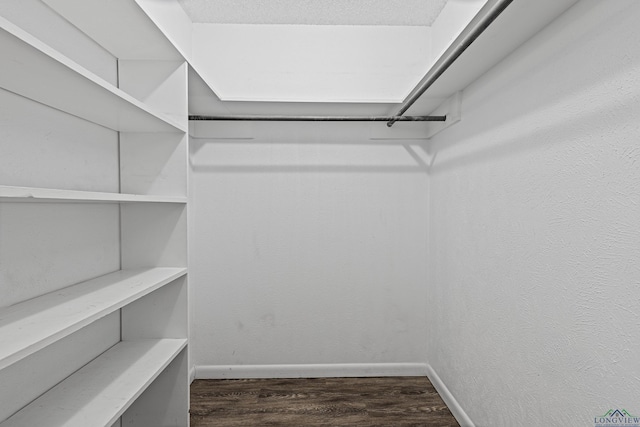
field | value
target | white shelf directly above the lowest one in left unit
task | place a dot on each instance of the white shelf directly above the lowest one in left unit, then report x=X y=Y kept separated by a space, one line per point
x=31 y=325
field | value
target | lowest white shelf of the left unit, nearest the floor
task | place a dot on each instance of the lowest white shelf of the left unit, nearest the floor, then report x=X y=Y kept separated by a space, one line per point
x=100 y=392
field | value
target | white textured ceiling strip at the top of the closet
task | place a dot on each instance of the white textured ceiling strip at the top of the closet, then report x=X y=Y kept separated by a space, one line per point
x=315 y=12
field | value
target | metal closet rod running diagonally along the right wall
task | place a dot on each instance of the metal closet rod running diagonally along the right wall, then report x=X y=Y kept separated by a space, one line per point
x=451 y=55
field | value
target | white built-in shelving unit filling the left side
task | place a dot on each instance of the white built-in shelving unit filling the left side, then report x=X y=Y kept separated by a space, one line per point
x=93 y=199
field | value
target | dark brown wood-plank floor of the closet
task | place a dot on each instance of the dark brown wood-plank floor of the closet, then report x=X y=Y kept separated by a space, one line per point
x=384 y=401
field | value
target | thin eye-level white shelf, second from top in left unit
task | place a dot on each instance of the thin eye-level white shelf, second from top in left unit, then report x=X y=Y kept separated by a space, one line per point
x=31 y=194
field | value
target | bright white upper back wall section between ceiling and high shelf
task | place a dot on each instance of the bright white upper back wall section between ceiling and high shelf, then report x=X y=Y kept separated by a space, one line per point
x=311 y=63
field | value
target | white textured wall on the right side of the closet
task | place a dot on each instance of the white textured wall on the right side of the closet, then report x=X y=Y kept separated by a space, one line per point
x=534 y=290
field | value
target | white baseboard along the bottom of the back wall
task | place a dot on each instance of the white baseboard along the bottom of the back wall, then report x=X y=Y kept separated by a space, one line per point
x=311 y=371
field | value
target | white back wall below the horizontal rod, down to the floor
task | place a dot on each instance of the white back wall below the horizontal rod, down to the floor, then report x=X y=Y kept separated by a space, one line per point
x=307 y=252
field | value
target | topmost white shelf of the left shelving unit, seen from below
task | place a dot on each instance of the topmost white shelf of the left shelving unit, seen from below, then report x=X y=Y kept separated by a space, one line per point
x=34 y=70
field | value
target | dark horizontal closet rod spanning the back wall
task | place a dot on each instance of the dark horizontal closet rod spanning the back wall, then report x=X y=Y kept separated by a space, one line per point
x=323 y=118
